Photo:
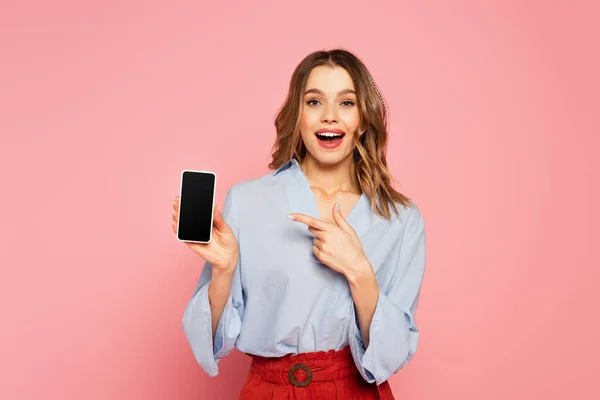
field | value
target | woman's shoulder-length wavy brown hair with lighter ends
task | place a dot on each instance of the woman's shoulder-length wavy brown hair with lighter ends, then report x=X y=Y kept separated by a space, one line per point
x=370 y=165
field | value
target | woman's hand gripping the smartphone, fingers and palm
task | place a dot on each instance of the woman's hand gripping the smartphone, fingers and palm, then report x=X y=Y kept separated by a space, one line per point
x=222 y=251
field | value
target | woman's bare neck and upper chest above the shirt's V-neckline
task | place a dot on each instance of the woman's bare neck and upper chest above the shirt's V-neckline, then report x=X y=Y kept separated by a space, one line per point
x=331 y=178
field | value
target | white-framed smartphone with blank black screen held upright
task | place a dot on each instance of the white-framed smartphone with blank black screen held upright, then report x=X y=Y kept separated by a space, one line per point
x=196 y=202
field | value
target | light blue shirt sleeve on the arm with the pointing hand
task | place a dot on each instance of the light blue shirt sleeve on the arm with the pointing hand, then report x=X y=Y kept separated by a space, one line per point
x=393 y=334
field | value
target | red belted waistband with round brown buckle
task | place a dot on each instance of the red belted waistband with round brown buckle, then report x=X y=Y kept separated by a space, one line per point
x=303 y=368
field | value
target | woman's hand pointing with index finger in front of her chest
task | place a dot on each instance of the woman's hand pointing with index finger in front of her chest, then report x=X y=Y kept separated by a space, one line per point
x=335 y=245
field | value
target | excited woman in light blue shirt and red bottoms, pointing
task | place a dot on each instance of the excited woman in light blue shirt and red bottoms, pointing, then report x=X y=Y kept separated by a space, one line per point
x=315 y=270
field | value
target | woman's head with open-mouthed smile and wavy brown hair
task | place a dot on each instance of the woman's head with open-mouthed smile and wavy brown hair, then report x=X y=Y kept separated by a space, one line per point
x=333 y=92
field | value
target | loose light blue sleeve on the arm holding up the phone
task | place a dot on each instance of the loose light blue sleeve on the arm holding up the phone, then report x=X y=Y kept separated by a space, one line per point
x=197 y=319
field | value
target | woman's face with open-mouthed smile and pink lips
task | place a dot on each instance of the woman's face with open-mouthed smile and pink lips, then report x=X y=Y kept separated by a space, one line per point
x=329 y=115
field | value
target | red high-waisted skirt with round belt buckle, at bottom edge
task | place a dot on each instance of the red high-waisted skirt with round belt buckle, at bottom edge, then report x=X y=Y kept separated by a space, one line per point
x=320 y=375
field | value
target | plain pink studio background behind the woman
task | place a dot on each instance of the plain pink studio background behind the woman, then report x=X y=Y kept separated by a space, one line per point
x=494 y=132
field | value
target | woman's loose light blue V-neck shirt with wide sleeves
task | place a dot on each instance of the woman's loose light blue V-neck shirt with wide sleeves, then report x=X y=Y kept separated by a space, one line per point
x=284 y=300
